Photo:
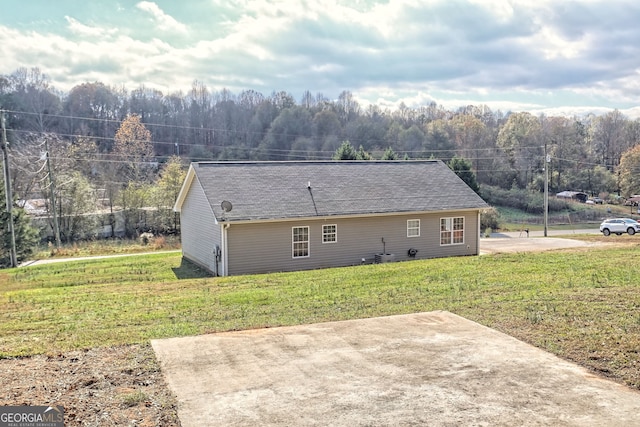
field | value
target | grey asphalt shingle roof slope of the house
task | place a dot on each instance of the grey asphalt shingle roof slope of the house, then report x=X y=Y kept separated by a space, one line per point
x=275 y=190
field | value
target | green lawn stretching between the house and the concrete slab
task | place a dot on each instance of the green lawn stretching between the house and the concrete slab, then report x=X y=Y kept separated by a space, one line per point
x=583 y=305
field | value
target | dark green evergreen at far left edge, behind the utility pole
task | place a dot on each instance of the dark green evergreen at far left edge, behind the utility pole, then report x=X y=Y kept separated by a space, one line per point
x=26 y=235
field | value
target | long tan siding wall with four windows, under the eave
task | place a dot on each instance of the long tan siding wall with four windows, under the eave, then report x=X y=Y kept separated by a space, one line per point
x=263 y=247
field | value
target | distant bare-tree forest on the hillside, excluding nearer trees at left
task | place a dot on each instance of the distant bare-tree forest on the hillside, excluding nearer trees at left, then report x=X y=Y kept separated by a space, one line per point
x=505 y=149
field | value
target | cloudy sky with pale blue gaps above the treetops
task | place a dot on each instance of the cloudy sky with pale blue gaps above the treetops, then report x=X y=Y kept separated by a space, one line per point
x=514 y=55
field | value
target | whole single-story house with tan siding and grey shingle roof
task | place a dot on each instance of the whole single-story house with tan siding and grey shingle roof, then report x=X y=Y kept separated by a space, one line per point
x=258 y=217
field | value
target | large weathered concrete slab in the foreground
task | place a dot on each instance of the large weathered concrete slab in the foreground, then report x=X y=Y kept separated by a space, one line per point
x=435 y=369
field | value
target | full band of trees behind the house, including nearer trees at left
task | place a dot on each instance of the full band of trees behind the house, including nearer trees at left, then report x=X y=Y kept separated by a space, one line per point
x=79 y=130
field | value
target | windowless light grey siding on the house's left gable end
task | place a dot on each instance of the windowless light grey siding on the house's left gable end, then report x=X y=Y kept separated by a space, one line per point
x=199 y=230
